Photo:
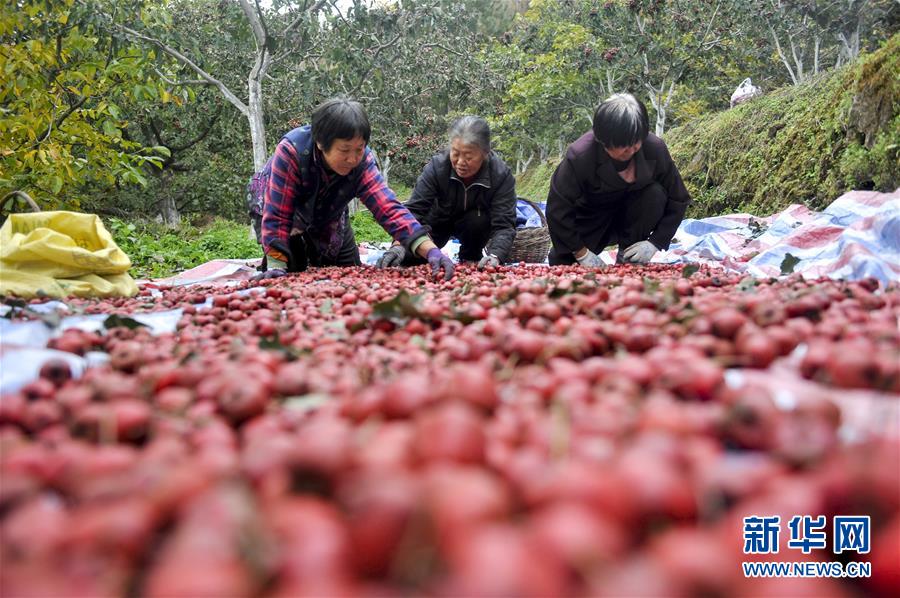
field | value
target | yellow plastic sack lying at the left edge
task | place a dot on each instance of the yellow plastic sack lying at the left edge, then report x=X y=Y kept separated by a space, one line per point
x=58 y=254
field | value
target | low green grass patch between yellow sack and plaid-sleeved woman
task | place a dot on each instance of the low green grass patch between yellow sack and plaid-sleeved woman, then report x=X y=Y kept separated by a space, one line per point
x=158 y=252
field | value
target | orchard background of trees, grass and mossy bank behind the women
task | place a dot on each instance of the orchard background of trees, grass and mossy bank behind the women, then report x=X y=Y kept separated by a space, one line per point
x=145 y=110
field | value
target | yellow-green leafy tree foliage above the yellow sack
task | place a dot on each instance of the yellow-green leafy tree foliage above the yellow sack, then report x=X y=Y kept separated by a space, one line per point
x=62 y=94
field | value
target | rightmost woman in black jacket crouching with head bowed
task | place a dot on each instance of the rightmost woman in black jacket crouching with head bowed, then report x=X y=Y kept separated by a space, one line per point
x=617 y=185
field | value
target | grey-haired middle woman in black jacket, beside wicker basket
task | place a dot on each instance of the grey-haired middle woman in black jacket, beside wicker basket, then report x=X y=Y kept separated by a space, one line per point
x=467 y=192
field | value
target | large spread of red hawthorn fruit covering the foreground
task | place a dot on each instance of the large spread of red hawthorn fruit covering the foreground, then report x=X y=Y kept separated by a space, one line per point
x=525 y=431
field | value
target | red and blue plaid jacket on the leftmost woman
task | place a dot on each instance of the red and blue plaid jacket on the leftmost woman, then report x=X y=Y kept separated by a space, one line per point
x=301 y=190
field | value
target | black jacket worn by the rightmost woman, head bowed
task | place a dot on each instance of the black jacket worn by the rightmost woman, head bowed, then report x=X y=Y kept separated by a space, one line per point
x=586 y=187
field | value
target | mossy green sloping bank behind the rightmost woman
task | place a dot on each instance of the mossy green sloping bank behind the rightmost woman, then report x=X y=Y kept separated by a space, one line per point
x=803 y=144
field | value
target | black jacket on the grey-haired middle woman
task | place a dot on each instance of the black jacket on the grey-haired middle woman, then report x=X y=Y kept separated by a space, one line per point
x=440 y=198
